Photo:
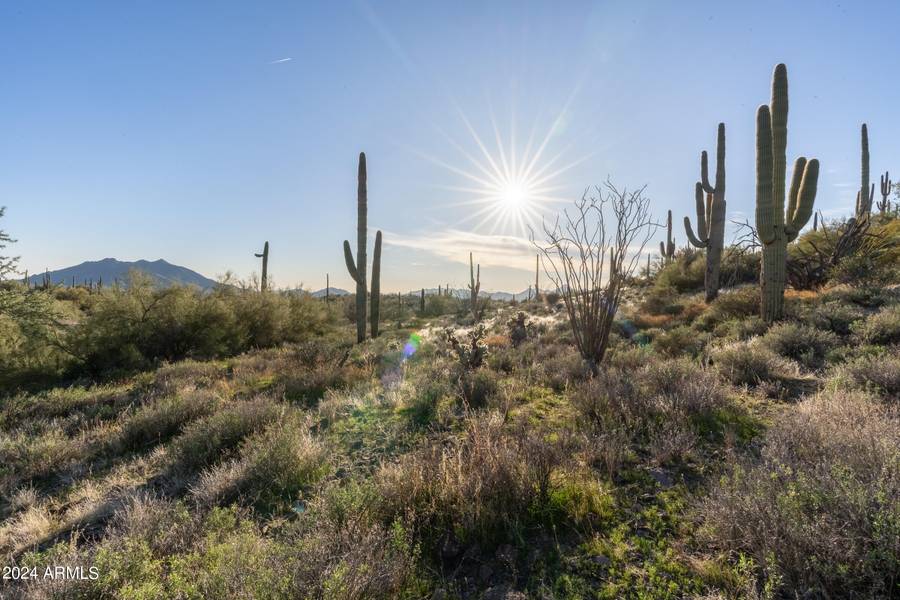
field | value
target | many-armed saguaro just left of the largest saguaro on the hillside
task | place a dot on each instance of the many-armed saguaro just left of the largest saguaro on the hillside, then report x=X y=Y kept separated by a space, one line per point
x=710 y=216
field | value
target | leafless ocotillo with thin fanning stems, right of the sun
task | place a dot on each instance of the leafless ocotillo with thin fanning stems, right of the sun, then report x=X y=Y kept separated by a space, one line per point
x=590 y=252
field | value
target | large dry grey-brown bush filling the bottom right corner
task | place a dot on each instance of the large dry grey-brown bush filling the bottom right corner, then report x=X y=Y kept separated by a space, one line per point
x=819 y=506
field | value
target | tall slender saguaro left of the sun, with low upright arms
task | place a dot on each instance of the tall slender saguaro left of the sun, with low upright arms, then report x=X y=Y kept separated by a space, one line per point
x=357 y=268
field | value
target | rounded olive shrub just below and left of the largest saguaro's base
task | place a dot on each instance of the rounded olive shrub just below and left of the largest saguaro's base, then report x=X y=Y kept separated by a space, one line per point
x=750 y=363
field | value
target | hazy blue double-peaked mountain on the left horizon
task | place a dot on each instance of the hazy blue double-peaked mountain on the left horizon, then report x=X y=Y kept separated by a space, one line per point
x=109 y=270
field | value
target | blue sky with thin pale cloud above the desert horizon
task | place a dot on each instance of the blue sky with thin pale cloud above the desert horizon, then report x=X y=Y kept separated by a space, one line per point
x=180 y=130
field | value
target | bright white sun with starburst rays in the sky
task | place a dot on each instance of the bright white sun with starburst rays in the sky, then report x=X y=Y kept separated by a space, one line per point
x=509 y=186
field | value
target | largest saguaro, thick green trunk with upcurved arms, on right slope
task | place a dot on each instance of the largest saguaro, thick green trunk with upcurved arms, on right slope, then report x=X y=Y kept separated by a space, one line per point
x=775 y=228
